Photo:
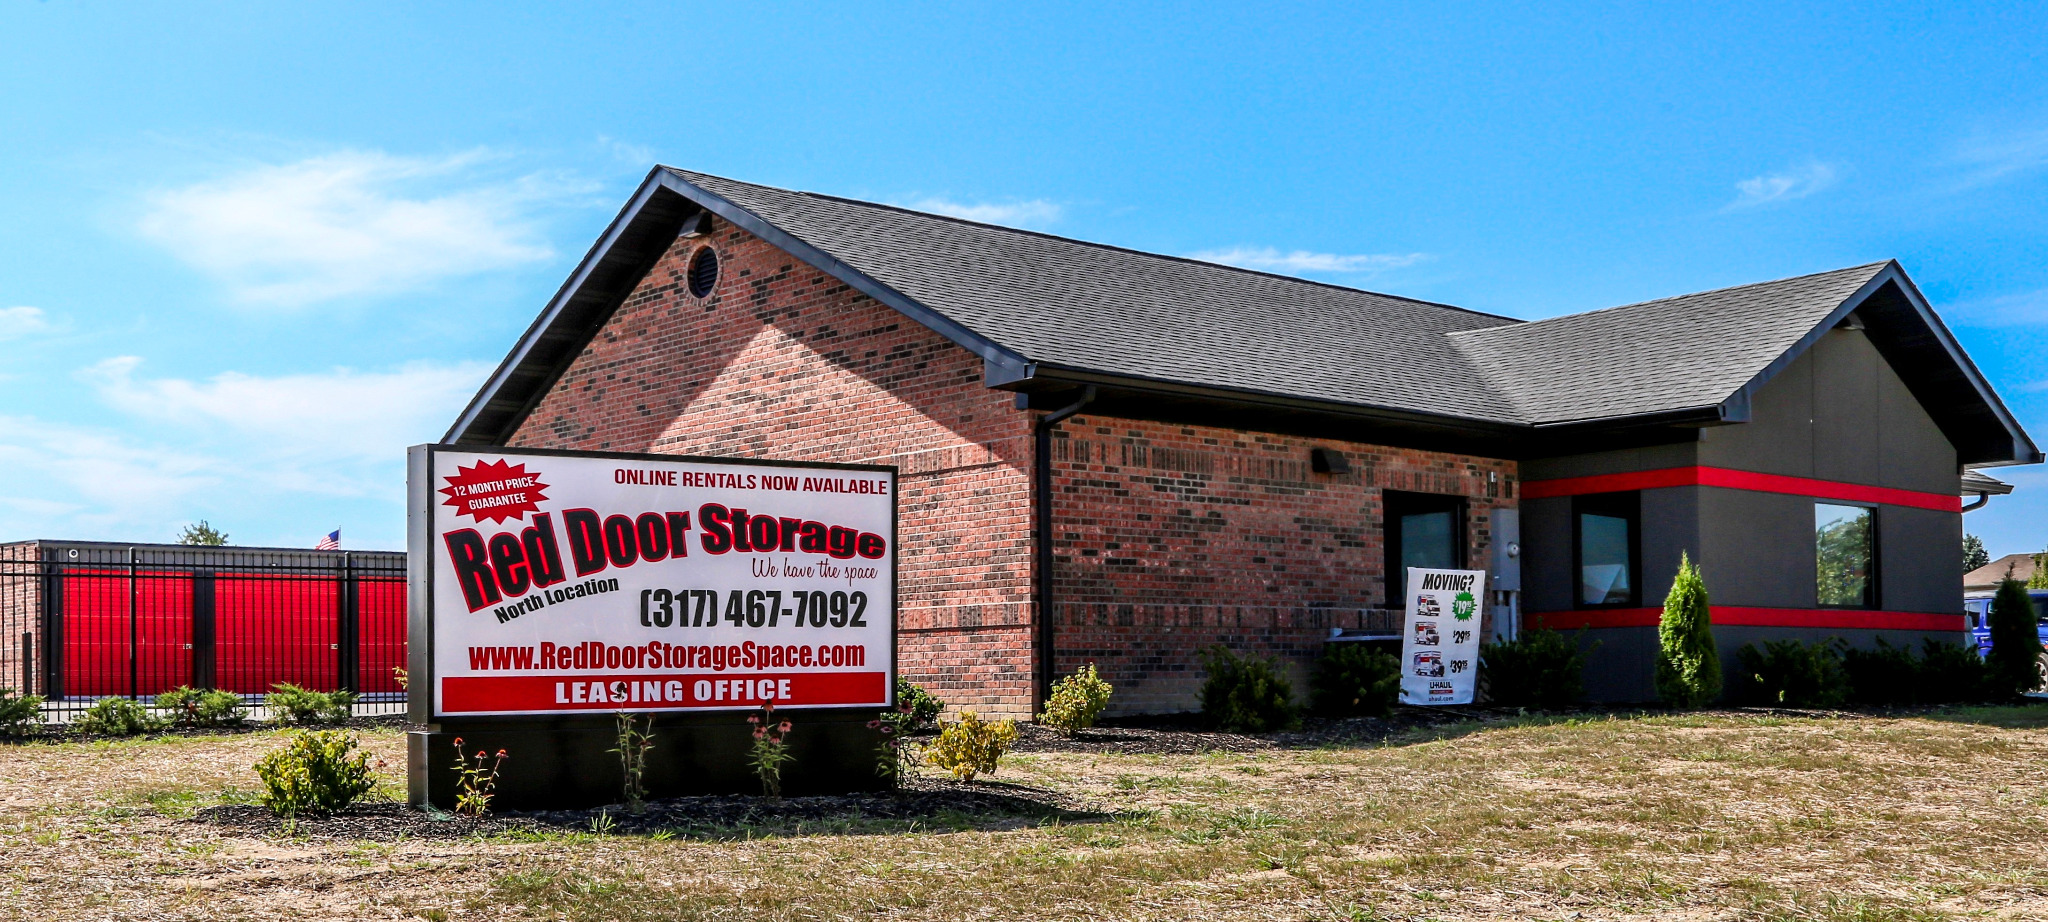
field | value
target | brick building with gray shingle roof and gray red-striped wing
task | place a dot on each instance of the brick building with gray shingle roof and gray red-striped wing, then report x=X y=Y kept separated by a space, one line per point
x=1125 y=458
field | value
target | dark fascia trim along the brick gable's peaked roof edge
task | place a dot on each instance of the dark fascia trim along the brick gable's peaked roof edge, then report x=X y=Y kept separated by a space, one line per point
x=632 y=218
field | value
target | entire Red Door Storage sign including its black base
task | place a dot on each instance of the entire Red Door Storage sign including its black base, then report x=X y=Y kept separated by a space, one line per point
x=554 y=591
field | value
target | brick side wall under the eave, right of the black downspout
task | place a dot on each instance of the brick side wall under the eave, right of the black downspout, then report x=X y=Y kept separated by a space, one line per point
x=1177 y=538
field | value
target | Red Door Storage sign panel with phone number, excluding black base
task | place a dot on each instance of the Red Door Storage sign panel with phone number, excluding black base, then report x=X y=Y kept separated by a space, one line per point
x=574 y=583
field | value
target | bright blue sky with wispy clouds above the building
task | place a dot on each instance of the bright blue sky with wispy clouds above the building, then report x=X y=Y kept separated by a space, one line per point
x=253 y=251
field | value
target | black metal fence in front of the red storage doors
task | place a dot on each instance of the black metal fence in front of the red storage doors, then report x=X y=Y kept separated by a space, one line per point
x=83 y=622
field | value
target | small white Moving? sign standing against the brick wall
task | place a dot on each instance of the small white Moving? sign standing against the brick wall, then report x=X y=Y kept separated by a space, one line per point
x=1441 y=636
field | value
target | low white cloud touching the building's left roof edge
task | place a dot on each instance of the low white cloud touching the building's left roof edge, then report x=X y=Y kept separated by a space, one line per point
x=341 y=413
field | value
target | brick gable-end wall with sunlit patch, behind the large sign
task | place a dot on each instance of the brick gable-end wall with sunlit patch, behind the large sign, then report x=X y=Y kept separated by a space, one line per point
x=783 y=362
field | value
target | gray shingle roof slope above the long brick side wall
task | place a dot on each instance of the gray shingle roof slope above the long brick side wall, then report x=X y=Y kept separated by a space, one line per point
x=1091 y=306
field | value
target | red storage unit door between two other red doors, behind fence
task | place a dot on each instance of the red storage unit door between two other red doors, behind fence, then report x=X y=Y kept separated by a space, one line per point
x=275 y=630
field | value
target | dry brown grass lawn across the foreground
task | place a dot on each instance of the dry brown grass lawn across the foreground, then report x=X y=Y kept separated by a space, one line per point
x=1646 y=819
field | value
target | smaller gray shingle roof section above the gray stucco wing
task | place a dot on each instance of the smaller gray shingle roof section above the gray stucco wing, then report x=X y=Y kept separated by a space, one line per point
x=1650 y=358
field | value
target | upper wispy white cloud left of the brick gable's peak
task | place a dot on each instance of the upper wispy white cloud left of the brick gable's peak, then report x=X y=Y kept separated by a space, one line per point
x=349 y=224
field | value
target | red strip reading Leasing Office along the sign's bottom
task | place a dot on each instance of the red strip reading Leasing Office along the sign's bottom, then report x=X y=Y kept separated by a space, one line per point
x=660 y=691
